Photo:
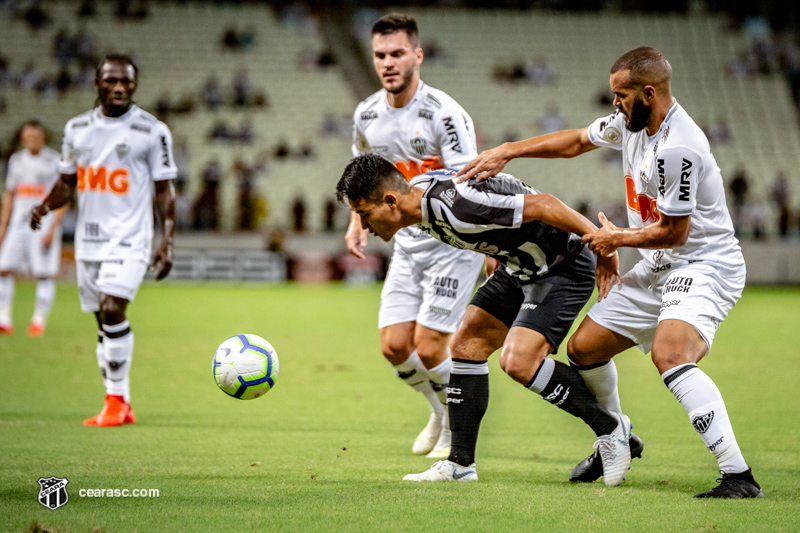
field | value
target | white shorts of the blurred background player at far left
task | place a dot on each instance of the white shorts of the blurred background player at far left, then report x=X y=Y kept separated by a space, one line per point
x=22 y=251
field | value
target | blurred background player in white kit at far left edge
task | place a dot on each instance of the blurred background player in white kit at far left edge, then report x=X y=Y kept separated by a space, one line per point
x=31 y=173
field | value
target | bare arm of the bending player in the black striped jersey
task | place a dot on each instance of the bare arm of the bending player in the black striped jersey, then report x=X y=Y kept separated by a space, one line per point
x=553 y=212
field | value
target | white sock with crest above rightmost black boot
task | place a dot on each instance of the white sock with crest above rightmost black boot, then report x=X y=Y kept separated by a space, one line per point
x=703 y=402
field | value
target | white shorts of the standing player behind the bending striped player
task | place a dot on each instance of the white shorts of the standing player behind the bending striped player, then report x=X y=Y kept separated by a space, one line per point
x=431 y=287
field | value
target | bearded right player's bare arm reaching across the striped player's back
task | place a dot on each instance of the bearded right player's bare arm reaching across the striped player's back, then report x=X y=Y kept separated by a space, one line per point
x=561 y=144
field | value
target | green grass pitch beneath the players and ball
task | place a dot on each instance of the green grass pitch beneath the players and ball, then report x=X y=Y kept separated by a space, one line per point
x=327 y=448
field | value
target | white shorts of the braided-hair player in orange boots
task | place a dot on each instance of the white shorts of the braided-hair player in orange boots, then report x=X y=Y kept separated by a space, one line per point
x=115 y=277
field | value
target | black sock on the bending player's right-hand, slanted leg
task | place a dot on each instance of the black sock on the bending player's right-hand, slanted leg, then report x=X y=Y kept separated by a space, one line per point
x=567 y=391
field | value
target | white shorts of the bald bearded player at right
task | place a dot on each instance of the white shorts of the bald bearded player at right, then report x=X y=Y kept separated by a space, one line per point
x=697 y=293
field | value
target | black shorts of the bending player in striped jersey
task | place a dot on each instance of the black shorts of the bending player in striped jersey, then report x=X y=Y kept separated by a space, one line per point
x=549 y=304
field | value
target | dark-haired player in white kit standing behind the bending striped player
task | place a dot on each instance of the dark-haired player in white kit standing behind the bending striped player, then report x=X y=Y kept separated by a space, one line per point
x=418 y=129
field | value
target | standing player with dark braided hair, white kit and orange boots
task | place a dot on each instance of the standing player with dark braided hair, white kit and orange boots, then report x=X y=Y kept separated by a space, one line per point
x=119 y=157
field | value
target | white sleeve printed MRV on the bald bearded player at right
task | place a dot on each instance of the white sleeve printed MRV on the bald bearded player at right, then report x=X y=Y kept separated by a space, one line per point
x=677 y=170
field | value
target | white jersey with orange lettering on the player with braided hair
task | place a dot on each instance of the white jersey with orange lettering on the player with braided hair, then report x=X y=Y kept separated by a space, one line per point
x=116 y=160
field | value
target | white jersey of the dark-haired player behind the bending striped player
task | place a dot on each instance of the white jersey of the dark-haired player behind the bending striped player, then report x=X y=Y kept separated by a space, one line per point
x=431 y=132
